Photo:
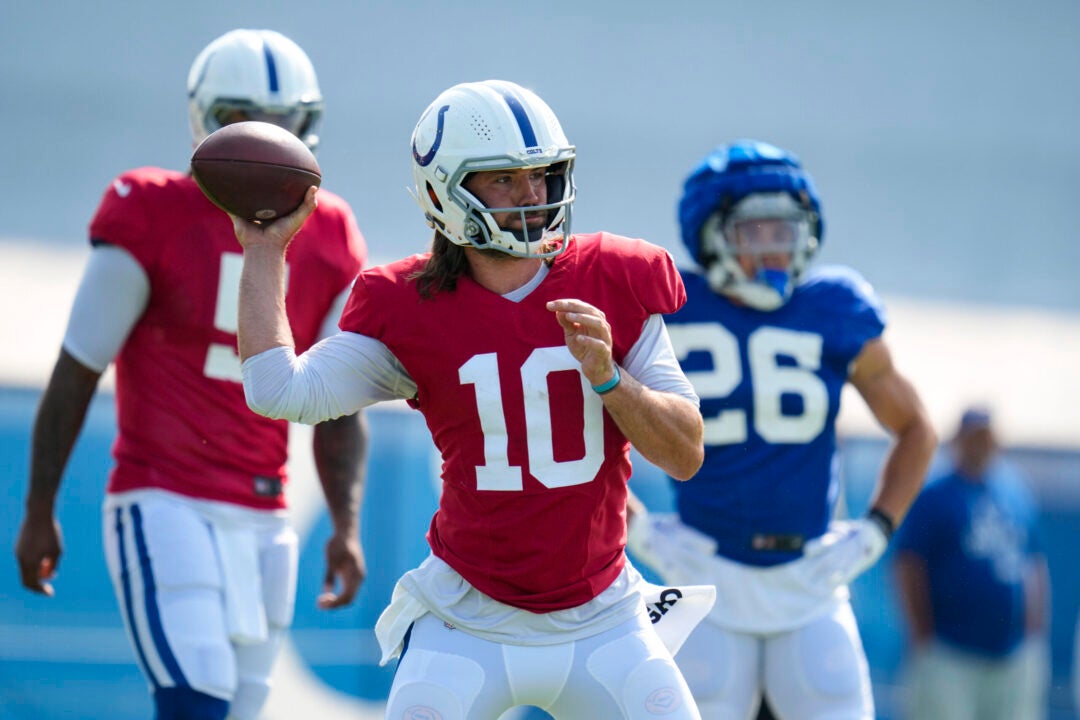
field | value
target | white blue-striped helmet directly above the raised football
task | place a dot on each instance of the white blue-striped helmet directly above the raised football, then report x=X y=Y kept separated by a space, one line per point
x=254 y=75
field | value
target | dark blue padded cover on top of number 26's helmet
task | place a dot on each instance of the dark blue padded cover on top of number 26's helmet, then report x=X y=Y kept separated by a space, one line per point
x=731 y=173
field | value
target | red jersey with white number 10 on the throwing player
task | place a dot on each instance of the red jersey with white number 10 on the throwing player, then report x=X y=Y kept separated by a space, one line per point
x=533 y=510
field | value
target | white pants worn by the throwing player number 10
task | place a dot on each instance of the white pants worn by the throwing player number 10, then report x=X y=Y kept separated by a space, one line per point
x=623 y=674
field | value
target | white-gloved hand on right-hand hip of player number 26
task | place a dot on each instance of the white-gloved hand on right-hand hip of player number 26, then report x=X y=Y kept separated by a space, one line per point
x=845 y=552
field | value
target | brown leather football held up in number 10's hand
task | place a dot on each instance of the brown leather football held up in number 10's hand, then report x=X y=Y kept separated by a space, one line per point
x=255 y=170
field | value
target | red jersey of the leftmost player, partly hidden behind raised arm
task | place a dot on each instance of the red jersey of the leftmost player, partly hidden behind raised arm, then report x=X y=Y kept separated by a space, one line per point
x=184 y=425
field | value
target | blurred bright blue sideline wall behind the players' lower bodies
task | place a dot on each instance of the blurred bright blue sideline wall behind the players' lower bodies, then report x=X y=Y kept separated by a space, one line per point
x=67 y=657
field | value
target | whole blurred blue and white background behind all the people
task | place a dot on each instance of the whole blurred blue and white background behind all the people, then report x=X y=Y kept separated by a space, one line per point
x=941 y=135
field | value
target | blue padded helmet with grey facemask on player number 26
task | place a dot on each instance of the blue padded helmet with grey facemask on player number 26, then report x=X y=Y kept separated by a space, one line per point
x=724 y=213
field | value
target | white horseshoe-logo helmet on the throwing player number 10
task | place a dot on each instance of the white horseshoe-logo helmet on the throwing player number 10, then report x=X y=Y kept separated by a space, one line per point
x=483 y=127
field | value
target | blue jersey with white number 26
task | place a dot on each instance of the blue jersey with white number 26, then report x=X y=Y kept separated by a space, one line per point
x=771 y=389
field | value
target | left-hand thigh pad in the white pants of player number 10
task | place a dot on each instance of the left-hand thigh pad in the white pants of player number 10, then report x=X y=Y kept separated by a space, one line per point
x=435 y=685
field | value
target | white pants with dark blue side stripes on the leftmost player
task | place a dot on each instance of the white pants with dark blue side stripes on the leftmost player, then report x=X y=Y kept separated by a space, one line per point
x=206 y=590
